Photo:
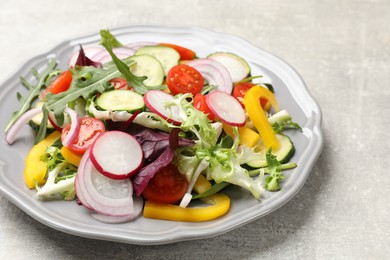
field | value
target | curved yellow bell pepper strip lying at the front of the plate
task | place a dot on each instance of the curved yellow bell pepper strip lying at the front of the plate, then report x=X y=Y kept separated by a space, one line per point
x=220 y=204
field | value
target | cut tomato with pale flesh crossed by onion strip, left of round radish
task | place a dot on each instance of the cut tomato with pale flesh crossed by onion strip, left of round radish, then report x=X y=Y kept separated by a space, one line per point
x=90 y=129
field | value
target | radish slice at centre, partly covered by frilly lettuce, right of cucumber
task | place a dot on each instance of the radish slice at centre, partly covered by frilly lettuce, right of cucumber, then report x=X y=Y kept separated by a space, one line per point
x=155 y=101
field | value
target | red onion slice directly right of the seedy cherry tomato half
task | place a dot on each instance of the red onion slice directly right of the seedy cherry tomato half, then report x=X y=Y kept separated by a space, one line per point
x=214 y=72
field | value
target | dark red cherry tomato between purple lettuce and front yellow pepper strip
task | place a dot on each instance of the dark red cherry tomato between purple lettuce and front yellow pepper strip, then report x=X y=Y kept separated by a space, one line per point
x=168 y=185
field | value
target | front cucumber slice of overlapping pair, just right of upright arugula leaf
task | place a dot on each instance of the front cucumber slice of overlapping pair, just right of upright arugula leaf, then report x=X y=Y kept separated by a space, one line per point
x=147 y=65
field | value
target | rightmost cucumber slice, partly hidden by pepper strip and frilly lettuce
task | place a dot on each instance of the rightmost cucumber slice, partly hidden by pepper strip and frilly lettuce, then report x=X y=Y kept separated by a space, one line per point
x=284 y=154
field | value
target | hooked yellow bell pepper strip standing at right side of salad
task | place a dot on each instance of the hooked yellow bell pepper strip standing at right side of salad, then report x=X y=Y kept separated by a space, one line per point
x=257 y=115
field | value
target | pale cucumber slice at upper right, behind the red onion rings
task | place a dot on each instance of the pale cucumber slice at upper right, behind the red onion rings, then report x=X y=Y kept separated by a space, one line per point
x=238 y=68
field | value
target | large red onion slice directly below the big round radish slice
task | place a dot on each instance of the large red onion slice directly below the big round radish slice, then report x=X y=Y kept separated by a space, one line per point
x=104 y=195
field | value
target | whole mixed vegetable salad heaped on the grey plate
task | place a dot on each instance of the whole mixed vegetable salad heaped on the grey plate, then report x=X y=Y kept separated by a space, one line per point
x=150 y=128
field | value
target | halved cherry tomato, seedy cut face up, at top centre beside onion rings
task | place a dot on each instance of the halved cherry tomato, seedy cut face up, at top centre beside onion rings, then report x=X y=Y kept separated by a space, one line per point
x=184 y=79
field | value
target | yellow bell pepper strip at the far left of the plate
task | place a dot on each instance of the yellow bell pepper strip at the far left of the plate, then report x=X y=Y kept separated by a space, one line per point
x=35 y=170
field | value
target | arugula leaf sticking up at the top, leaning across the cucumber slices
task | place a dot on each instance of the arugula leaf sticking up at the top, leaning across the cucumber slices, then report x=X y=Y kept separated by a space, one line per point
x=108 y=41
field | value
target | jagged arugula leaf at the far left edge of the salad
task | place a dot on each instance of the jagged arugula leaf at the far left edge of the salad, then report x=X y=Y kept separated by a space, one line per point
x=34 y=91
